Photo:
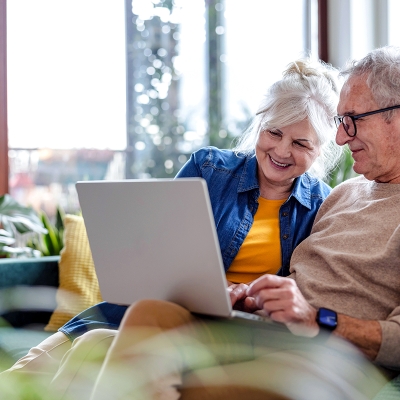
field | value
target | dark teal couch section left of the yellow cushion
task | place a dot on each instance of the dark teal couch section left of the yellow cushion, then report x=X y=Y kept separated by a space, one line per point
x=28 y=290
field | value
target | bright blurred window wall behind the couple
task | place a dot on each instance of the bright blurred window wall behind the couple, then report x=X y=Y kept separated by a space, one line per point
x=101 y=89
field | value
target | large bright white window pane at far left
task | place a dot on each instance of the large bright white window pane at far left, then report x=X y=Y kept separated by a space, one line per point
x=66 y=74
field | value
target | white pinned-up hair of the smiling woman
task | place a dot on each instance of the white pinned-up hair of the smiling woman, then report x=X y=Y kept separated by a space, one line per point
x=308 y=90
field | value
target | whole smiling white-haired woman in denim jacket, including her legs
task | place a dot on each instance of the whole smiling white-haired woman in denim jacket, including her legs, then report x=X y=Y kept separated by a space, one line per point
x=264 y=193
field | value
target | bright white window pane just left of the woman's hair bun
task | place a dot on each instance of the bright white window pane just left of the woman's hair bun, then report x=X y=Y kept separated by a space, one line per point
x=260 y=42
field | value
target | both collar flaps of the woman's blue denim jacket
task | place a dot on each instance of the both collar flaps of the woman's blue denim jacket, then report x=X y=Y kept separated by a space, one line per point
x=248 y=181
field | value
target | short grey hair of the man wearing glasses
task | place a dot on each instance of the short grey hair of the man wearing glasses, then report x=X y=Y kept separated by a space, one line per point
x=381 y=68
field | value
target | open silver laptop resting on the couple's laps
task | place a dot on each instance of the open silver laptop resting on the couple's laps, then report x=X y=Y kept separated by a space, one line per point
x=156 y=239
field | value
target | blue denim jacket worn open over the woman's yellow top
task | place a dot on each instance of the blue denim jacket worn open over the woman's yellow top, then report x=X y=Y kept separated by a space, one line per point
x=234 y=191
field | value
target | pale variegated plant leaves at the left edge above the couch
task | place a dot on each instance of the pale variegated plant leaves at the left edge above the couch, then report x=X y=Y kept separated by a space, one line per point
x=16 y=220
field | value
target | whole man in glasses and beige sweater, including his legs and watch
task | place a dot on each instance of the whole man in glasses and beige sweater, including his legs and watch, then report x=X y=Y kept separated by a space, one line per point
x=344 y=278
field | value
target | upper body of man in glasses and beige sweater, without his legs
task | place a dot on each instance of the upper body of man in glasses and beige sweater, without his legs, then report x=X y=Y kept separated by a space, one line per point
x=350 y=263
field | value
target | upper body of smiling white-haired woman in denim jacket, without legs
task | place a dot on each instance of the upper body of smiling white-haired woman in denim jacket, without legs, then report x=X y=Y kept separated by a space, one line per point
x=264 y=201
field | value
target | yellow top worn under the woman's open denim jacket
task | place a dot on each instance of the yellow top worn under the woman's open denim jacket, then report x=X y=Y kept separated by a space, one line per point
x=260 y=252
